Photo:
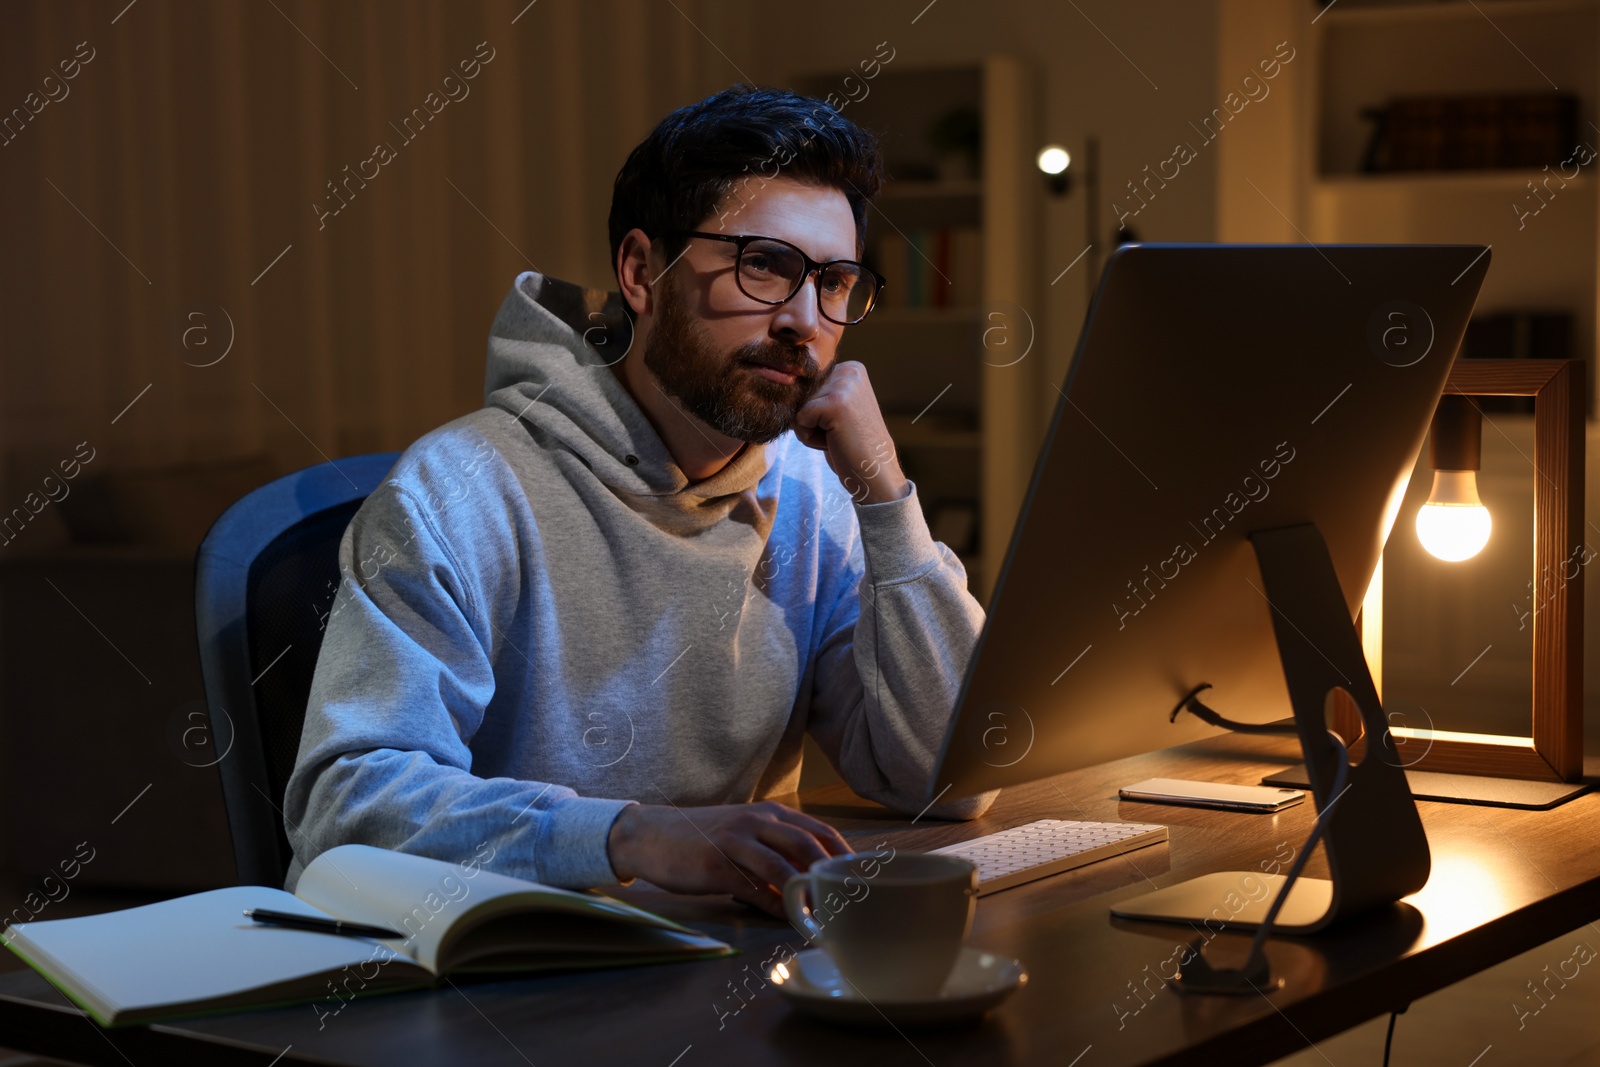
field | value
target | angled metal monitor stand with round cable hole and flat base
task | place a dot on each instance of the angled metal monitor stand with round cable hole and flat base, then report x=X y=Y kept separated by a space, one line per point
x=1372 y=836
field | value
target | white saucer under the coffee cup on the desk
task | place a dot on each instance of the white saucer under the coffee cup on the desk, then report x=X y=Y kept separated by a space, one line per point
x=978 y=983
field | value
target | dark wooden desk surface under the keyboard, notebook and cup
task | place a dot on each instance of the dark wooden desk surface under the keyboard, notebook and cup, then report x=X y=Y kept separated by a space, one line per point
x=1503 y=882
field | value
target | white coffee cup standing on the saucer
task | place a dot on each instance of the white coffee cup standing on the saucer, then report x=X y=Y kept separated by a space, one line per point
x=894 y=922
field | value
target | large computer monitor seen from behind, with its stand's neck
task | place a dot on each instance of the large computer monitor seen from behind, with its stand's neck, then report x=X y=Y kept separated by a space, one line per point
x=1222 y=399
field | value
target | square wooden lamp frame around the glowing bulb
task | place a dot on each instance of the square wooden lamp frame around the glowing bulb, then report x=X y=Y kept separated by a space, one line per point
x=1554 y=751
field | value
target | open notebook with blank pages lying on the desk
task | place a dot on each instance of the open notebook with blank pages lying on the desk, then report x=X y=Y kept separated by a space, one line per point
x=199 y=954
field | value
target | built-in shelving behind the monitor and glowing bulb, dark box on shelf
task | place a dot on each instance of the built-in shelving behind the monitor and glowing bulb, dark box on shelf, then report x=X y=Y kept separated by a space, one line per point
x=1306 y=159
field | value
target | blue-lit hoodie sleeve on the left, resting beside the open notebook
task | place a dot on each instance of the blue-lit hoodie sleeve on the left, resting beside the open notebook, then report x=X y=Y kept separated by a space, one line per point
x=401 y=689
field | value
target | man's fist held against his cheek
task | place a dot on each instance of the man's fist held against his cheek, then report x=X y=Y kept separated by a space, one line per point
x=842 y=418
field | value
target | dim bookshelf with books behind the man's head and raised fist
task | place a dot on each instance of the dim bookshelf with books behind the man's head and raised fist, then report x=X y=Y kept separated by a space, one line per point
x=959 y=250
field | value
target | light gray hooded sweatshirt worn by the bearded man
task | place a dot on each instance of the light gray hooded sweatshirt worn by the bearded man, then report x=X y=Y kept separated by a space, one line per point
x=542 y=621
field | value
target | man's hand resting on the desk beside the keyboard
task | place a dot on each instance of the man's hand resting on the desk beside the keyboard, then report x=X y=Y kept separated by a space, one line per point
x=746 y=850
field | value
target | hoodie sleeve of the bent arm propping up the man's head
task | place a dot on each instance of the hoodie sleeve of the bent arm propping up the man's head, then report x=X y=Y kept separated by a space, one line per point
x=892 y=657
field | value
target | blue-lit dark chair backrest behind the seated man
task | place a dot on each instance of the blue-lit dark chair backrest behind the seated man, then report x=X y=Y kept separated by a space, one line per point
x=265 y=581
